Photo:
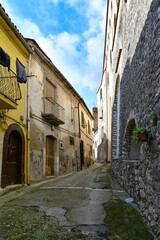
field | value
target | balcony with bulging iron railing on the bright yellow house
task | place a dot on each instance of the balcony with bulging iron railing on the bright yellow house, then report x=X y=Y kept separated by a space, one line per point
x=9 y=89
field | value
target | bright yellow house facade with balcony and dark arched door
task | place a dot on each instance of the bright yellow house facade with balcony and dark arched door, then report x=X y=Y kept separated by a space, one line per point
x=14 y=53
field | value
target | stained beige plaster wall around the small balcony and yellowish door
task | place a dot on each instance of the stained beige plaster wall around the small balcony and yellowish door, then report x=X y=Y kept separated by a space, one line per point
x=65 y=154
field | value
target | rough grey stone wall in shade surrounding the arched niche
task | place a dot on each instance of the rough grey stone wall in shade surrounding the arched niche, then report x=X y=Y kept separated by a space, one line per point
x=139 y=99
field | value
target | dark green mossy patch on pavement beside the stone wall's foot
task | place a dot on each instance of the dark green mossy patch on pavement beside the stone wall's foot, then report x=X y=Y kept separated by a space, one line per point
x=124 y=222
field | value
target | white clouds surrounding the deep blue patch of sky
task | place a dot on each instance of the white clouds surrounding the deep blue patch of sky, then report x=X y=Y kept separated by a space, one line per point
x=78 y=57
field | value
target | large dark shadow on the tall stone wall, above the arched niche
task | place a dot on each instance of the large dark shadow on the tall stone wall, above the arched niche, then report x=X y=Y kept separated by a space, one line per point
x=140 y=81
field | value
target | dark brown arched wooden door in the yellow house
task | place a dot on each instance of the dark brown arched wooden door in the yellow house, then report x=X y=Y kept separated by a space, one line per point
x=13 y=156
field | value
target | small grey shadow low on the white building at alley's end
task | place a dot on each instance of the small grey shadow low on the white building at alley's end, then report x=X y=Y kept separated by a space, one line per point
x=102 y=150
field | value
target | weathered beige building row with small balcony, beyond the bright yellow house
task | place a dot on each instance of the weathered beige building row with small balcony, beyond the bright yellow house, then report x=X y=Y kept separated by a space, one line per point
x=59 y=143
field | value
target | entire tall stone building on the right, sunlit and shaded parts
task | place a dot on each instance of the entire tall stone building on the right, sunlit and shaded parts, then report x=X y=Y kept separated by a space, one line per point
x=131 y=78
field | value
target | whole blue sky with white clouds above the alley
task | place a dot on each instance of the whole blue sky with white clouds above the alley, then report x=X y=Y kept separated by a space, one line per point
x=71 y=33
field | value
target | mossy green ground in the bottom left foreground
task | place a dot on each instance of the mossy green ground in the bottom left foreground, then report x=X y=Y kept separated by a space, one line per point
x=23 y=223
